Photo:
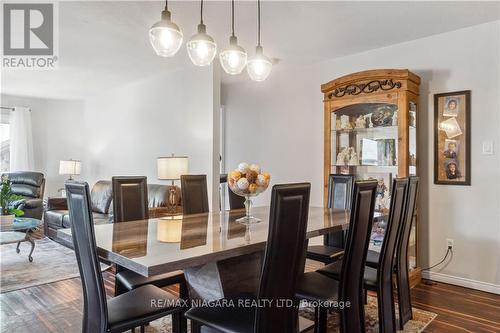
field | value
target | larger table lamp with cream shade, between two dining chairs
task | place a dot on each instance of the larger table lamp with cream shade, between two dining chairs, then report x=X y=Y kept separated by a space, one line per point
x=171 y=168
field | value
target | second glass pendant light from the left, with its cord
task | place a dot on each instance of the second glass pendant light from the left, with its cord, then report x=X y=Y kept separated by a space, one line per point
x=201 y=47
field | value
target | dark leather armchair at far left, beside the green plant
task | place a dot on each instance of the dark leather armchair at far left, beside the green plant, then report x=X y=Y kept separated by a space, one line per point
x=31 y=186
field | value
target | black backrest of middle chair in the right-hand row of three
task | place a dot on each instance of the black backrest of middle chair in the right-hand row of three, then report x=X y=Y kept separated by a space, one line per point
x=394 y=222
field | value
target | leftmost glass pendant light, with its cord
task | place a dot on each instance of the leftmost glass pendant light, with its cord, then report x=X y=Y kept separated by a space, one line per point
x=165 y=36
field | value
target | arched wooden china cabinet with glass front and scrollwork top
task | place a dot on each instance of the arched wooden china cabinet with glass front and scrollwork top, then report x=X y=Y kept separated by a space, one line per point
x=371 y=132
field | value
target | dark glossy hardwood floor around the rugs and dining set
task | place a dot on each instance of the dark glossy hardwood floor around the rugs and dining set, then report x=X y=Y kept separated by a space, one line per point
x=57 y=307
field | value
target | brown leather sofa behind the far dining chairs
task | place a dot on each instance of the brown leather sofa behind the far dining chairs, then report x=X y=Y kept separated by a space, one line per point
x=56 y=214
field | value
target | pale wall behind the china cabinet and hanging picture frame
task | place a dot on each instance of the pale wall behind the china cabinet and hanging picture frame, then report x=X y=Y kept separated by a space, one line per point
x=278 y=123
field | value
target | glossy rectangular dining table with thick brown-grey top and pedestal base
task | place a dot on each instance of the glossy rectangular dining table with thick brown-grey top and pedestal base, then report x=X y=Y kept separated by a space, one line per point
x=220 y=257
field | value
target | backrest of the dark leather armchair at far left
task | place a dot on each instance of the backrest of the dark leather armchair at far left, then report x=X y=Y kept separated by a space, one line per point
x=27 y=183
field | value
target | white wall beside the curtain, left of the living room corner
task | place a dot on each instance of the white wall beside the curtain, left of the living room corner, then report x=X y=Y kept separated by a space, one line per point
x=57 y=134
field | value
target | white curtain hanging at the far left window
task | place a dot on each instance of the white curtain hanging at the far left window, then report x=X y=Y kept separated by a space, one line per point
x=21 y=140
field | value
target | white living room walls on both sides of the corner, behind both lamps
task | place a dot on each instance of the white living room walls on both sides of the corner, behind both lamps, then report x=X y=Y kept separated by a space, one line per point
x=123 y=130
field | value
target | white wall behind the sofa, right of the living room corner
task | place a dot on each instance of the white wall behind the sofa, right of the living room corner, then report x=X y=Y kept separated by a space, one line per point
x=127 y=128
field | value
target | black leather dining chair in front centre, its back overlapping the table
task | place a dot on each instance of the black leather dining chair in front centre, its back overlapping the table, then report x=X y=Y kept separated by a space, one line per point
x=282 y=265
